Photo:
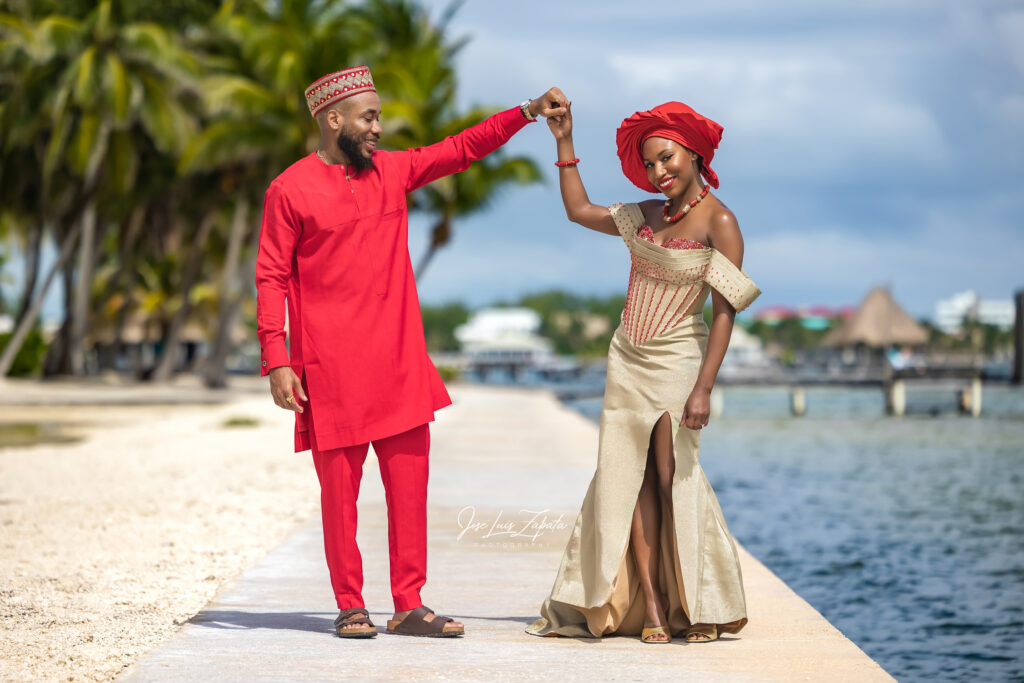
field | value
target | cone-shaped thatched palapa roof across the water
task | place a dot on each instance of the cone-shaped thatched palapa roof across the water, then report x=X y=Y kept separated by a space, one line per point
x=878 y=322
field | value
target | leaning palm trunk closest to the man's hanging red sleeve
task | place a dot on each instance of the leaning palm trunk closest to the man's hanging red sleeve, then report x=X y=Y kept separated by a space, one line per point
x=232 y=295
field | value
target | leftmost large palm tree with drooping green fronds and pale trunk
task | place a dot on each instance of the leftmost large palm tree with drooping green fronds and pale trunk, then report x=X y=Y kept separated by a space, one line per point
x=98 y=91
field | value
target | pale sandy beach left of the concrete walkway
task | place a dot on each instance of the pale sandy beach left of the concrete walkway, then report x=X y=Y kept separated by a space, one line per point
x=110 y=543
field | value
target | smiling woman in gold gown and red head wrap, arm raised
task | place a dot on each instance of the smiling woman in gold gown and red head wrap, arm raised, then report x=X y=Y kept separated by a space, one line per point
x=651 y=553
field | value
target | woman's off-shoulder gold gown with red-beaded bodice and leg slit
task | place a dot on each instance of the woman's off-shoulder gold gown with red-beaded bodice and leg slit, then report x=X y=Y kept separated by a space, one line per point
x=654 y=361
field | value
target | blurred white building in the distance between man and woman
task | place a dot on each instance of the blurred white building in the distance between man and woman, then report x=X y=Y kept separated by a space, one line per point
x=500 y=336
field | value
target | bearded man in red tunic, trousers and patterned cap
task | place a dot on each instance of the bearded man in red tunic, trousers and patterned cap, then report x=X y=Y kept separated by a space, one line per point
x=334 y=246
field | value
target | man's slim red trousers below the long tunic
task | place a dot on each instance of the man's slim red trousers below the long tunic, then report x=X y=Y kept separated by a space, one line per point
x=403 y=460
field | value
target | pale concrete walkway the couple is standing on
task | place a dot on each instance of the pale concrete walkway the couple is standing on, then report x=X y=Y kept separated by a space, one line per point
x=501 y=459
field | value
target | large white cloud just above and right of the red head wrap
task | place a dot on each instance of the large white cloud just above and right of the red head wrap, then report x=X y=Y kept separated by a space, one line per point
x=812 y=115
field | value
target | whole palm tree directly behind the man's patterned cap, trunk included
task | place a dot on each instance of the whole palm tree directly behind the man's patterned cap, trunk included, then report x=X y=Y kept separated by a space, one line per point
x=259 y=59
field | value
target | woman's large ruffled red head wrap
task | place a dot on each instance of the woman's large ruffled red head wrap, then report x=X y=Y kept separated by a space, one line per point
x=674 y=121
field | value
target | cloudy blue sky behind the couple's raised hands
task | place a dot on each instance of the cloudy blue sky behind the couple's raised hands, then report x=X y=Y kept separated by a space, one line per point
x=866 y=144
